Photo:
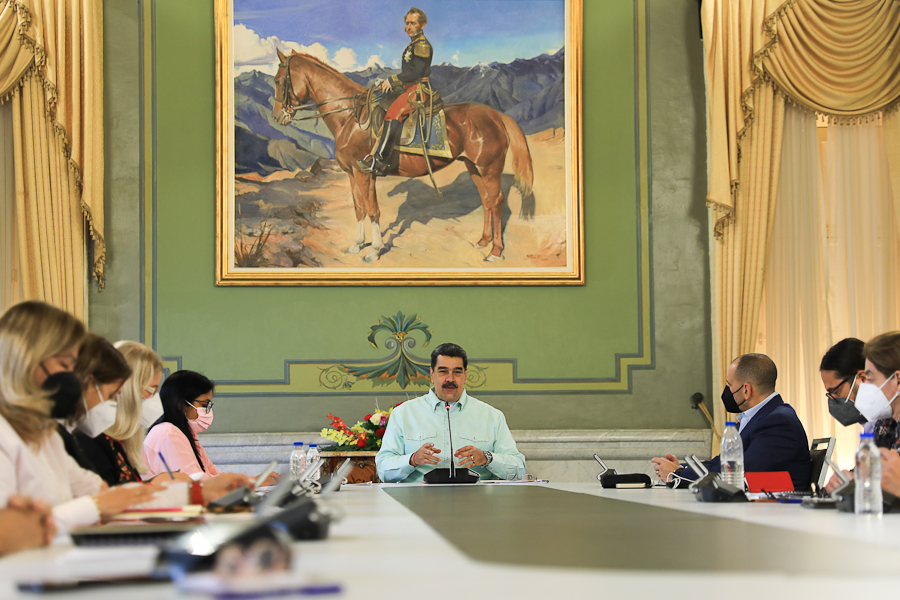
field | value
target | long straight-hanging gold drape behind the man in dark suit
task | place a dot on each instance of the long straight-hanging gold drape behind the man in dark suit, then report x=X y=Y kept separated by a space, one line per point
x=745 y=121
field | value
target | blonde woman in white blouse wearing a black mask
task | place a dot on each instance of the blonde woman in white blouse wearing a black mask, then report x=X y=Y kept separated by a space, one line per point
x=38 y=348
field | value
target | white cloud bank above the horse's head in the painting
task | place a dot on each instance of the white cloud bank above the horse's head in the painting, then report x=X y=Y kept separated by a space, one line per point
x=253 y=52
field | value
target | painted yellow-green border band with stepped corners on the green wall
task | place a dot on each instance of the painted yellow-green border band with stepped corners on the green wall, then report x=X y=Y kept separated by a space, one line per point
x=497 y=375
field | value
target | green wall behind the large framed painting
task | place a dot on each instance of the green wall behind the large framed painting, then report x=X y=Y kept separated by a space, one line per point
x=247 y=333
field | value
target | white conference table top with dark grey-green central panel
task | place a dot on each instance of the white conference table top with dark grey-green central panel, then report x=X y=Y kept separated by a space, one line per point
x=383 y=549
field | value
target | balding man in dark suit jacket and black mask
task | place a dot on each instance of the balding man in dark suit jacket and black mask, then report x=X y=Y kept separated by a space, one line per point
x=772 y=435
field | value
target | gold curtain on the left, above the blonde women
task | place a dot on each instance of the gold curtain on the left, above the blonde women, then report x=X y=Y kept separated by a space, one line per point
x=51 y=66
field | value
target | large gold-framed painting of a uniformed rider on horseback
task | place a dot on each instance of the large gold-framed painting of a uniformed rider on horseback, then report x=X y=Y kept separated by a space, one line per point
x=371 y=143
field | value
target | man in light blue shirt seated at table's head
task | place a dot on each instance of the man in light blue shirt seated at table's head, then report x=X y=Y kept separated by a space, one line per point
x=418 y=431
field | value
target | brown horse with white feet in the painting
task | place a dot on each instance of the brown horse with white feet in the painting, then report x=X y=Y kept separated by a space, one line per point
x=479 y=136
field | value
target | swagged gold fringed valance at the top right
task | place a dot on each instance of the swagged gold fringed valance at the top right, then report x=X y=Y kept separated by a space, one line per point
x=841 y=58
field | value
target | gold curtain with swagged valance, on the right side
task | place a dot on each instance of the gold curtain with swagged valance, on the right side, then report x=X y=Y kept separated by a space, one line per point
x=841 y=58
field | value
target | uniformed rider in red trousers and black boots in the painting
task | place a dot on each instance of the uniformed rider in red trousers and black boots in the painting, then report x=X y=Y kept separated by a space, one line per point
x=405 y=88
